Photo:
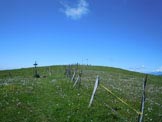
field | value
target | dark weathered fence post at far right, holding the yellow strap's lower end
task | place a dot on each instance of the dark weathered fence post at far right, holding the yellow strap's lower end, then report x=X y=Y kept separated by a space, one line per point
x=140 y=118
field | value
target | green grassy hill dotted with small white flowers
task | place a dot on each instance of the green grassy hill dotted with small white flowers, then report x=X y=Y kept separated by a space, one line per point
x=52 y=98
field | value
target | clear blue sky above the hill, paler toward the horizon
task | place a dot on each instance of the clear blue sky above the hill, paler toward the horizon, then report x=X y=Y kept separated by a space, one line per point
x=118 y=33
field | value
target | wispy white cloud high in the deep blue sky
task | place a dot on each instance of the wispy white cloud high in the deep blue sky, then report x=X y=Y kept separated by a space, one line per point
x=78 y=11
